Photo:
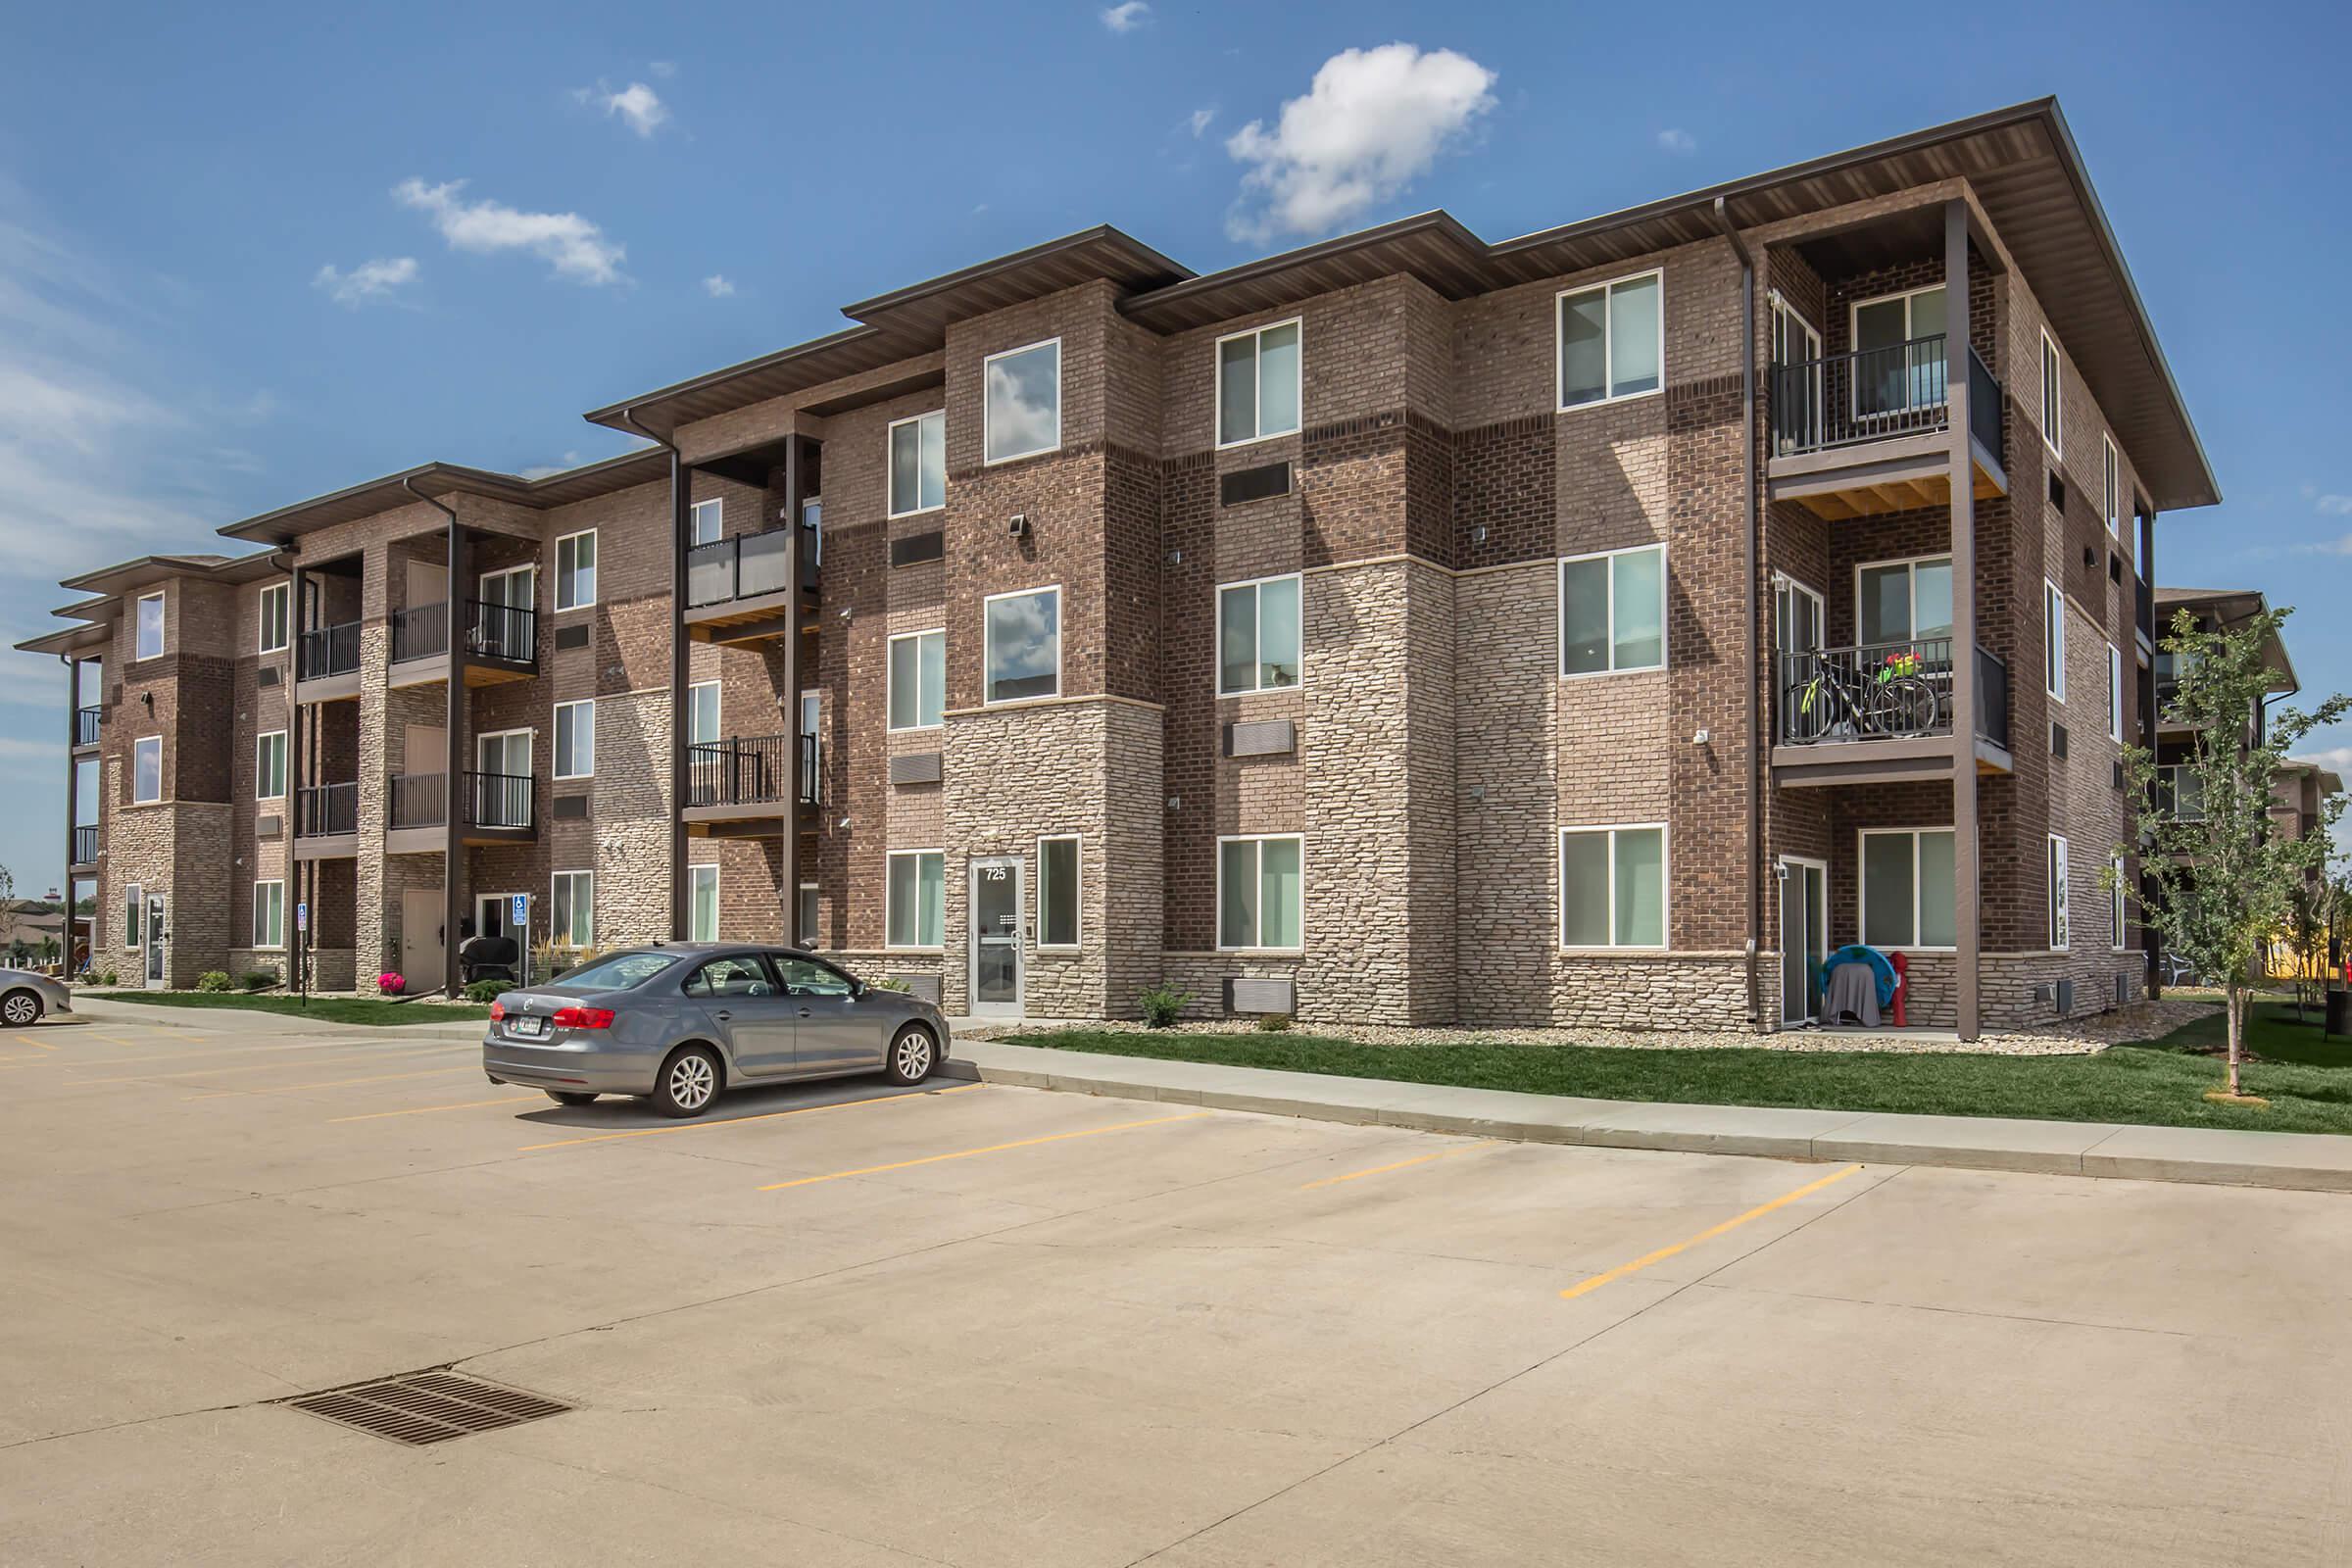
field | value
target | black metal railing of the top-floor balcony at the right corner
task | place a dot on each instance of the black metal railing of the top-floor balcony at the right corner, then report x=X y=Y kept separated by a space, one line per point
x=1878 y=394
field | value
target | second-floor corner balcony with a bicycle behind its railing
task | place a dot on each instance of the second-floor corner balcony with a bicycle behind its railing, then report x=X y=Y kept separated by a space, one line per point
x=1883 y=711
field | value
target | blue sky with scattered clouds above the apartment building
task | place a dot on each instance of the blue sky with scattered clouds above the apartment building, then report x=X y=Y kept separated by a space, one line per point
x=236 y=267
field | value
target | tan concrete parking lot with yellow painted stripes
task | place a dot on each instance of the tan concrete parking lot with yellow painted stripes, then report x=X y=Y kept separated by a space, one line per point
x=980 y=1325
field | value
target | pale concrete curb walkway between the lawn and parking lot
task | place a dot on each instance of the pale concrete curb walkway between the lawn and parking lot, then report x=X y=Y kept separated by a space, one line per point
x=2308 y=1162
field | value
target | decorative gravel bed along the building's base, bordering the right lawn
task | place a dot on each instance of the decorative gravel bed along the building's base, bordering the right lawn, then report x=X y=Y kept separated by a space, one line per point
x=2080 y=1038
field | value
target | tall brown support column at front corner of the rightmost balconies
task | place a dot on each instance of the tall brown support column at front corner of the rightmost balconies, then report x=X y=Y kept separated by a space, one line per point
x=1965 y=847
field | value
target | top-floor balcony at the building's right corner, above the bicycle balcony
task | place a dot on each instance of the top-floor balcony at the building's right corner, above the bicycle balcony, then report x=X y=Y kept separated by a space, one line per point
x=1864 y=434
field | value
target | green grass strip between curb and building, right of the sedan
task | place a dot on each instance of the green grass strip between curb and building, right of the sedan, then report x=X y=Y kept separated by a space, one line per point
x=2306 y=1080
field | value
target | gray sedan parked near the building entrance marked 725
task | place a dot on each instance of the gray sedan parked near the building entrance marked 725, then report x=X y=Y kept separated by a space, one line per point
x=688 y=1021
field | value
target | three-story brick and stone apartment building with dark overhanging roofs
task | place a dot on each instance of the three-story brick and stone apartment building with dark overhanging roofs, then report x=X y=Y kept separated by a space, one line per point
x=1584 y=629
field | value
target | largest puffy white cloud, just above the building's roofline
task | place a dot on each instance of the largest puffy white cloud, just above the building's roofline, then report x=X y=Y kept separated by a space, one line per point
x=1370 y=126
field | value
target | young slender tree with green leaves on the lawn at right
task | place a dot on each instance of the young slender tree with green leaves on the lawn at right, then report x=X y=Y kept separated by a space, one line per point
x=2217 y=880
